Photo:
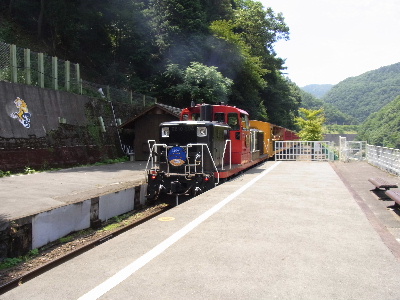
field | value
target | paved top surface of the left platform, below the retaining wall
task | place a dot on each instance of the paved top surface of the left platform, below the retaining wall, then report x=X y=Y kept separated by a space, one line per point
x=25 y=195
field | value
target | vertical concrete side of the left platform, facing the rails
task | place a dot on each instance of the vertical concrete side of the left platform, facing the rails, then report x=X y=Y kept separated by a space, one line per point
x=22 y=235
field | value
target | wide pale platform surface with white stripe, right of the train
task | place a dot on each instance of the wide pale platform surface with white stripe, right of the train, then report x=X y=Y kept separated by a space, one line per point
x=283 y=230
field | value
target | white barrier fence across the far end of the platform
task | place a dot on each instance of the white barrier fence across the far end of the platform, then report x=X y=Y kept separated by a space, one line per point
x=304 y=150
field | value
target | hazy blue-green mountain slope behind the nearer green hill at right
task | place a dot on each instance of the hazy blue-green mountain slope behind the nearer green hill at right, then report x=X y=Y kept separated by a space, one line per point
x=367 y=93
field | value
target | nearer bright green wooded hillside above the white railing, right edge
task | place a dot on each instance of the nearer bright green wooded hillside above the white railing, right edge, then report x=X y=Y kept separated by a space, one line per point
x=383 y=127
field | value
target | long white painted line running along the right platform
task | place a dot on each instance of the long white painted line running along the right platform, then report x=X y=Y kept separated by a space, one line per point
x=116 y=279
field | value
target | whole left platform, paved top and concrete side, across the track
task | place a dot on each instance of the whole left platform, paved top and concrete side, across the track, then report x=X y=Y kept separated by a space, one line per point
x=43 y=207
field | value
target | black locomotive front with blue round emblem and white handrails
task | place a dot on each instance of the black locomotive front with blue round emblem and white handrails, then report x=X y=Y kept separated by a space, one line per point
x=187 y=157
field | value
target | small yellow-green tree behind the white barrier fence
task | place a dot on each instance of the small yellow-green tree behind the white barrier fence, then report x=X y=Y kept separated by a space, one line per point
x=310 y=123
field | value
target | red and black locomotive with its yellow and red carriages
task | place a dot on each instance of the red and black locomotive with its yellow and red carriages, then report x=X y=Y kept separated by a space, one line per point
x=207 y=146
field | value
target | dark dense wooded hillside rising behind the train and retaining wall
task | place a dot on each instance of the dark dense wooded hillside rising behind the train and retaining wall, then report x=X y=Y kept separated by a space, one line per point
x=174 y=50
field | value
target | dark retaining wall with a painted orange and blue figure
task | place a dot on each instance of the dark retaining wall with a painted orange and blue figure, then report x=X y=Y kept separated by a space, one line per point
x=44 y=128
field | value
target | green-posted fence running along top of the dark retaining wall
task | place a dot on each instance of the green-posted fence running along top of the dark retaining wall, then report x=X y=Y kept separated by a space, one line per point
x=19 y=65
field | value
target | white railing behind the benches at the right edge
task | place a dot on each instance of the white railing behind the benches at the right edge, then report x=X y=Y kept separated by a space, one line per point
x=387 y=159
